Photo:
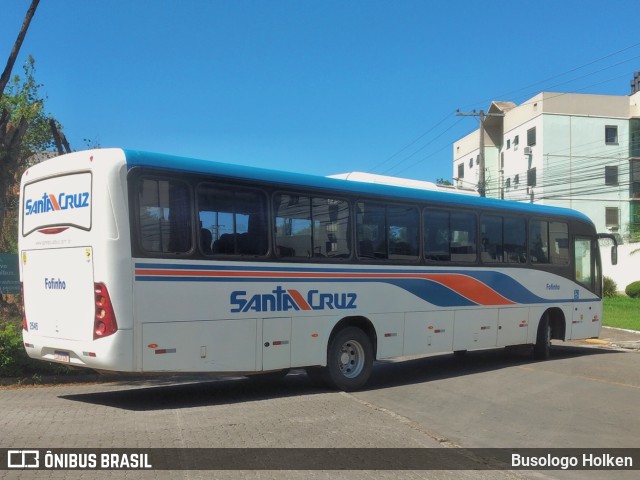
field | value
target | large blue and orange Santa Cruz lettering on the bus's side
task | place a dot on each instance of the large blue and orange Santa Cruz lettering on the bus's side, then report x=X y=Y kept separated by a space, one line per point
x=282 y=300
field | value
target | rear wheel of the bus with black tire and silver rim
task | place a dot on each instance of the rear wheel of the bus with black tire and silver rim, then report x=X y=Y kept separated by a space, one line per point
x=349 y=360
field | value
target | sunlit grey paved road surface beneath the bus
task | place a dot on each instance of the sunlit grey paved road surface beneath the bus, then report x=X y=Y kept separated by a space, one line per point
x=587 y=396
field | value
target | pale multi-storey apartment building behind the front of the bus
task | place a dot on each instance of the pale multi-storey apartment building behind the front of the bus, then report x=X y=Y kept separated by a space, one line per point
x=571 y=150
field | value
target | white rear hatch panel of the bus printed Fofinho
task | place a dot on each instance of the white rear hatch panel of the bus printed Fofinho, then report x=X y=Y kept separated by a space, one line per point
x=59 y=292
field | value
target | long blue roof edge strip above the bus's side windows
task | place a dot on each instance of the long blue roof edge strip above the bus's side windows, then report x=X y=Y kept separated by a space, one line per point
x=173 y=163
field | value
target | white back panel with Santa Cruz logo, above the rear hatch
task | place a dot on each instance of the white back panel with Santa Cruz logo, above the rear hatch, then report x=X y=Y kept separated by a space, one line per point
x=57 y=202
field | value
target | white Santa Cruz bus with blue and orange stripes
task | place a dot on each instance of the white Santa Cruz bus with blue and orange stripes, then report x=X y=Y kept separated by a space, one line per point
x=147 y=263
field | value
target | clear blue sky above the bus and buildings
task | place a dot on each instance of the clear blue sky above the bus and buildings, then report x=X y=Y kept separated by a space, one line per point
x=319 y=87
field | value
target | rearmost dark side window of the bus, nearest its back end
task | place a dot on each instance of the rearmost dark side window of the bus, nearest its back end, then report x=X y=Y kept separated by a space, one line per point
x=164 y=216
